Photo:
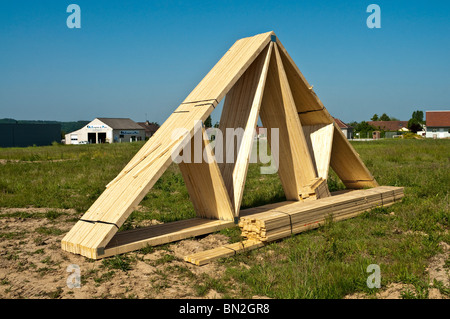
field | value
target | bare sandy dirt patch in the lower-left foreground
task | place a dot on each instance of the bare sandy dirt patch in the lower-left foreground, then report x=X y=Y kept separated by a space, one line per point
x=32 y=264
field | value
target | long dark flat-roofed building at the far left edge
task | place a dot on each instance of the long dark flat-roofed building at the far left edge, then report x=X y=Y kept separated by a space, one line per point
x=23 y=135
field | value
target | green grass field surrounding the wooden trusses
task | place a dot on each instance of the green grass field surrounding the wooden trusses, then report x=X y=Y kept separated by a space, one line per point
x=329 y=262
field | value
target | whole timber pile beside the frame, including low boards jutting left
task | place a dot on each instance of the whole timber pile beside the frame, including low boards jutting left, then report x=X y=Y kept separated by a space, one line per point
x=263 y=224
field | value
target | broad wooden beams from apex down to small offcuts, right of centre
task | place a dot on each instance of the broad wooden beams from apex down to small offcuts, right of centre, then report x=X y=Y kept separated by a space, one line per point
x=278 y=111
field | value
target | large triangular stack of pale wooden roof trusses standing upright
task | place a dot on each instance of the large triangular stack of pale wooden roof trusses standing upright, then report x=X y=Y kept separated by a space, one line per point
x=259 y=78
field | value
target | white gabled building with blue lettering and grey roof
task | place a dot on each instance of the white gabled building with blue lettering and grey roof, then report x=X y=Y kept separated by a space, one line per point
x=107 y=130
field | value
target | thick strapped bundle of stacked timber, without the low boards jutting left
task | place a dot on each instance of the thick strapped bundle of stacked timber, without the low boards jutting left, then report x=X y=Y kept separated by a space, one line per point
x=296 y=217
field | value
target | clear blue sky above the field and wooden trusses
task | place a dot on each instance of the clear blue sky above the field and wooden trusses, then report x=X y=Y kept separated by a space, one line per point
x=140 y=59
